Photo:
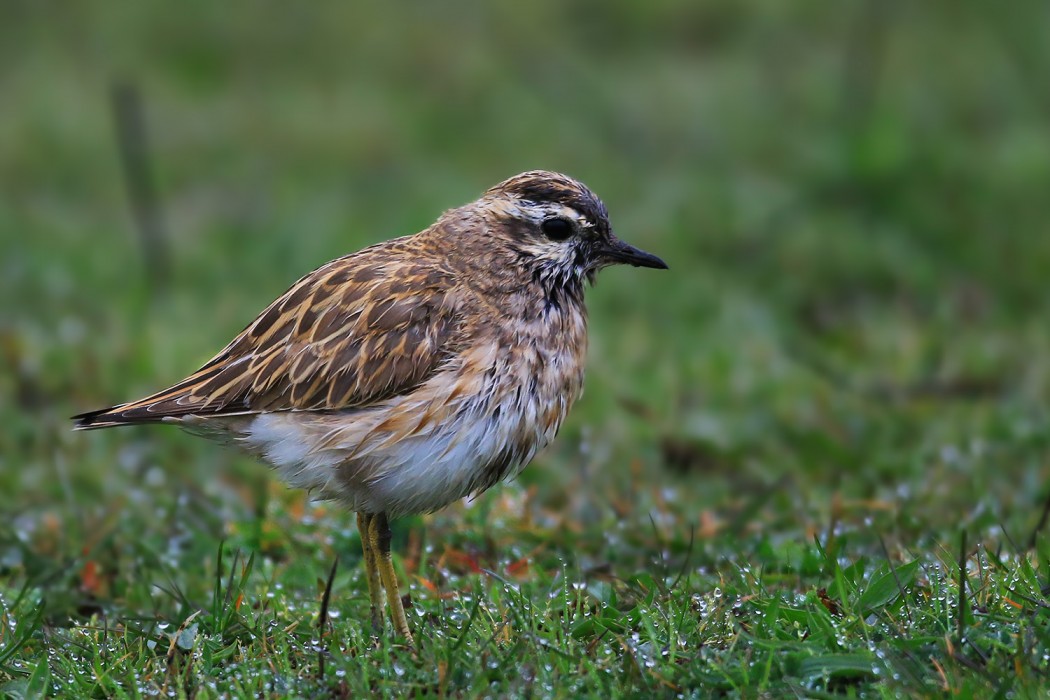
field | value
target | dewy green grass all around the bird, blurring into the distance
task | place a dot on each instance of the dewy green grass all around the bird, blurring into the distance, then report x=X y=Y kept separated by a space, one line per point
x=813 y=458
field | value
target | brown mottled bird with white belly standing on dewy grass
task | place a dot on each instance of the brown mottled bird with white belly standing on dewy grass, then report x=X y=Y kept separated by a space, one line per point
x=416 y=372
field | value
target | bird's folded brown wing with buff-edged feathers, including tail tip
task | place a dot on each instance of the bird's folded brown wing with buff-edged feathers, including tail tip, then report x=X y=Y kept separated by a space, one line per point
x=359 y=330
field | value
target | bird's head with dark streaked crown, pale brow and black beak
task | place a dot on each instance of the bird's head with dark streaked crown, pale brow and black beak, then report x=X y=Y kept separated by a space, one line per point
x=557 y=228
